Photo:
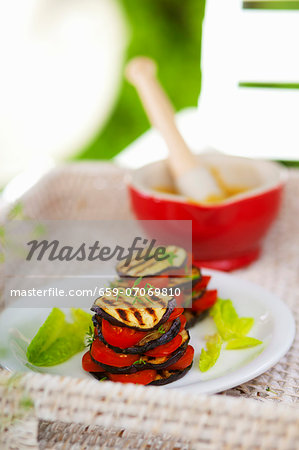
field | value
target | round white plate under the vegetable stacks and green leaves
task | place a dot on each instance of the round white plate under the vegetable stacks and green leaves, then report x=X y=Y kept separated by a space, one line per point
x=274 y=325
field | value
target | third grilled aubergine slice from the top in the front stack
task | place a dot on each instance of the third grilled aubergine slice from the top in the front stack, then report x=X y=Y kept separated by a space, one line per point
x=150 y=362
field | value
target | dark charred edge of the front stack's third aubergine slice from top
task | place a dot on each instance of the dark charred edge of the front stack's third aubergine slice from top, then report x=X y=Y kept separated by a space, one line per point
x=175 y=356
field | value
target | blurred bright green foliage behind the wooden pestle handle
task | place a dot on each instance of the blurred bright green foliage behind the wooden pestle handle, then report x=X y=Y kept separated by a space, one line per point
x=170 y=32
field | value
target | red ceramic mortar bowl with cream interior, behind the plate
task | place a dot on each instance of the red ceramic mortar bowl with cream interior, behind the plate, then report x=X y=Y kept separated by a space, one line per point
x=225 y=236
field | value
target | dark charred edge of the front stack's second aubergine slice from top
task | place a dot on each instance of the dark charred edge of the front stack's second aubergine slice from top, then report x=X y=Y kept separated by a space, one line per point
x=138 y=350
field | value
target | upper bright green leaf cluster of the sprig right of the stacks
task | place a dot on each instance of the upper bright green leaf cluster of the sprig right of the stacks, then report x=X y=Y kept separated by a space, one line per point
x=227 y=321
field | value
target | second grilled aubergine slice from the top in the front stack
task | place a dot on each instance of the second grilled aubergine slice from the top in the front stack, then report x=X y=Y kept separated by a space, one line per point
x=150 y=341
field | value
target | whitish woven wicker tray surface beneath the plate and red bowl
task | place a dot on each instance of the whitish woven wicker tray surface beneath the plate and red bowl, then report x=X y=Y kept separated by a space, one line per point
x=87 y=414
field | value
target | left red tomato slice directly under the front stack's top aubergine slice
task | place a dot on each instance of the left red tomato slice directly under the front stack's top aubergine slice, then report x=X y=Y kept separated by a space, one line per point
x=122 y=337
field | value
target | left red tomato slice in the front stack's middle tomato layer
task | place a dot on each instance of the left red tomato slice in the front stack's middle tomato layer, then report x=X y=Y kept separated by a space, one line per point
x=103 y=354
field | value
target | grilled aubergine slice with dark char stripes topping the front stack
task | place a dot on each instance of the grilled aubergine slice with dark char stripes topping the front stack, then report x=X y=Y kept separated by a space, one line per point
x=119 y=311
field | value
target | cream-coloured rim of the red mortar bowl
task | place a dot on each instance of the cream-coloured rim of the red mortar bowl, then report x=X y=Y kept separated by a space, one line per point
x=134 y=184
